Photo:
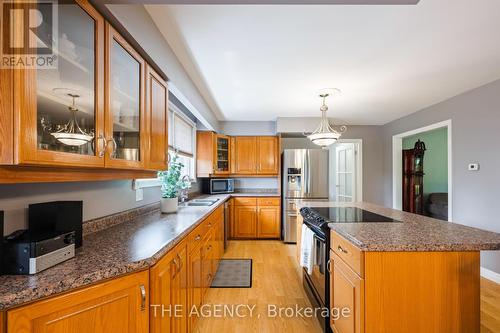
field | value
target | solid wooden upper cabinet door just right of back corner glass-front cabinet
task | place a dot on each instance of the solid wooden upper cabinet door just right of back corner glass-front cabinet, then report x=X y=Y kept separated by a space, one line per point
x=245 y=155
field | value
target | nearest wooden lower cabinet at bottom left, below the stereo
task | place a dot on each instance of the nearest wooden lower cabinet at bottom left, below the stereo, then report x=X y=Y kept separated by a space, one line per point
x=119 y=305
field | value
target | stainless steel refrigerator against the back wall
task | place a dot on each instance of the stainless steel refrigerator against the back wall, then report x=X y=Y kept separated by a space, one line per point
x=305 y=176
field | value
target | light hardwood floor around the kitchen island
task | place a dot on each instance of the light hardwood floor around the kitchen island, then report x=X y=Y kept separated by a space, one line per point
x=277 y=280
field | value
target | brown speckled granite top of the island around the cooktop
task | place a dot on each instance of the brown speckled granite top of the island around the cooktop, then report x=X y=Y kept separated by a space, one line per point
x=415 y=233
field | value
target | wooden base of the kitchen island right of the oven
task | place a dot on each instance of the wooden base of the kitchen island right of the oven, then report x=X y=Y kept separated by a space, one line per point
x=400 y=292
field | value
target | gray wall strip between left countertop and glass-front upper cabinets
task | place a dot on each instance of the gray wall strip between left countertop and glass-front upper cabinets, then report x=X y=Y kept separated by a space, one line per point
x=99 y=199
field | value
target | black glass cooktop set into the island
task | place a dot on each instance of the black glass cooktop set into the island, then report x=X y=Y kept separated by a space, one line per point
x=350 y=215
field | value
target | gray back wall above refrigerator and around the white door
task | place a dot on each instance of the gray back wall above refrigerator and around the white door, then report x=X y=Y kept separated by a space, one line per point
x=372 y=152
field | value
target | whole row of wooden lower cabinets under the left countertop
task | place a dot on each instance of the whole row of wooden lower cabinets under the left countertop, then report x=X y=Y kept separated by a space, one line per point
x=158 y=300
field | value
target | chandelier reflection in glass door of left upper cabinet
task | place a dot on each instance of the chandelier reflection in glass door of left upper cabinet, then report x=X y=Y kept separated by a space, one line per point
x=69 y=134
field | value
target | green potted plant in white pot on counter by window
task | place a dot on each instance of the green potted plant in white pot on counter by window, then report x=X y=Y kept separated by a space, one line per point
x=171 y=184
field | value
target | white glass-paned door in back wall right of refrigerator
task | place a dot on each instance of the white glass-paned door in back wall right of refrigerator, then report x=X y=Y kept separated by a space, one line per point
x=346 y=176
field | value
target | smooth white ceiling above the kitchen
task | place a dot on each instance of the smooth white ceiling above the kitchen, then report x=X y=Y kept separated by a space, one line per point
x=260 y=62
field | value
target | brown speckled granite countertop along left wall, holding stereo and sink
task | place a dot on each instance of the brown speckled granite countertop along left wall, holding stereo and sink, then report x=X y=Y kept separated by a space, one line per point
x=129 y=246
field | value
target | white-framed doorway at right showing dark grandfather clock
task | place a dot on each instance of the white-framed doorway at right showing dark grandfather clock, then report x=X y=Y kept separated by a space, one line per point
x=399 y=143
